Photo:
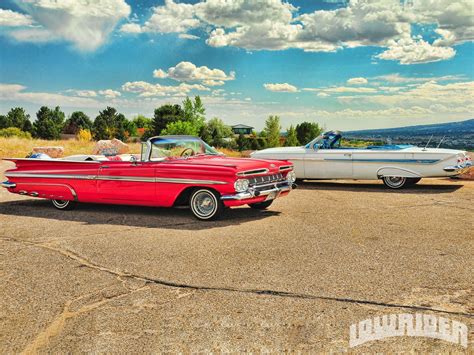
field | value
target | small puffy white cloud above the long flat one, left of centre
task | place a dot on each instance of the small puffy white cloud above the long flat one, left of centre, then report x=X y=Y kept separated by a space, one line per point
x=187 y=71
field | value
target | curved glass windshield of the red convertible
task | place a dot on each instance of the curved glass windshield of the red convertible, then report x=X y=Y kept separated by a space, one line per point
x=179 y=147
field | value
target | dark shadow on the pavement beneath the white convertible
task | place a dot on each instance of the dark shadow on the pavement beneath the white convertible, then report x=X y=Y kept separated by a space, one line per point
x=376 y=187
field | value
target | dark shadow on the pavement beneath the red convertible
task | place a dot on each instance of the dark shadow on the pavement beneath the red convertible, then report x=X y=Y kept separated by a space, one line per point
x=132 y=216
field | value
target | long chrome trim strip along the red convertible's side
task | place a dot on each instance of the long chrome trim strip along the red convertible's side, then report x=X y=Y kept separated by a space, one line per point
x=118 y=178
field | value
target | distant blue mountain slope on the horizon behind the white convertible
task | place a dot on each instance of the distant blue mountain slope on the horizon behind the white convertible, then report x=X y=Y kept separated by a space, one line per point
x=439 y=129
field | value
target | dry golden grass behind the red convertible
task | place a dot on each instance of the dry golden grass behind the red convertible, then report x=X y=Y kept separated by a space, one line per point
x=14 y=147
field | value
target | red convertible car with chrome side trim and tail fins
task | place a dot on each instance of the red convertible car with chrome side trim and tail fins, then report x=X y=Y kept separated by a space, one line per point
x=172 y=171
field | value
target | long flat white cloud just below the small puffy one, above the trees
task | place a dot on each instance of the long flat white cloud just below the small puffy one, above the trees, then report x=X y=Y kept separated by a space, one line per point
x=145 y=89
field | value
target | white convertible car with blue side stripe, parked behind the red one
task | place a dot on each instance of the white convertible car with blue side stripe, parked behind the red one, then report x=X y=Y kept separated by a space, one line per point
x=396 y=165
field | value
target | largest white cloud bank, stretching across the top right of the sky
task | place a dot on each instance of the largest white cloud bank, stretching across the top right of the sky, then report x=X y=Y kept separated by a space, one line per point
x=276 y=25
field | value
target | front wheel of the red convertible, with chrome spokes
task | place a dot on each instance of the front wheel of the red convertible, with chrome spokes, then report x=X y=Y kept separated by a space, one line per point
x=206 y=204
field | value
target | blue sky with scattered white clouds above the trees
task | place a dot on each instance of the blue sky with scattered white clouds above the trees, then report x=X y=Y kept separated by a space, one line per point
x=344 y=64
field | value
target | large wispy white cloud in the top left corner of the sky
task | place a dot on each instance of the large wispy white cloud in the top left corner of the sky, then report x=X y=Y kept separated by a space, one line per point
x=86 y=23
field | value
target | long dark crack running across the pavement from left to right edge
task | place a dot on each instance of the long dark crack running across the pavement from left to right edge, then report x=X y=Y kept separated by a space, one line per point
x=263 y=292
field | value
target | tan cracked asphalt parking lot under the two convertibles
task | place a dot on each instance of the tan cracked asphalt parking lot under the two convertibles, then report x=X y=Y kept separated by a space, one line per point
x=294 y=278
